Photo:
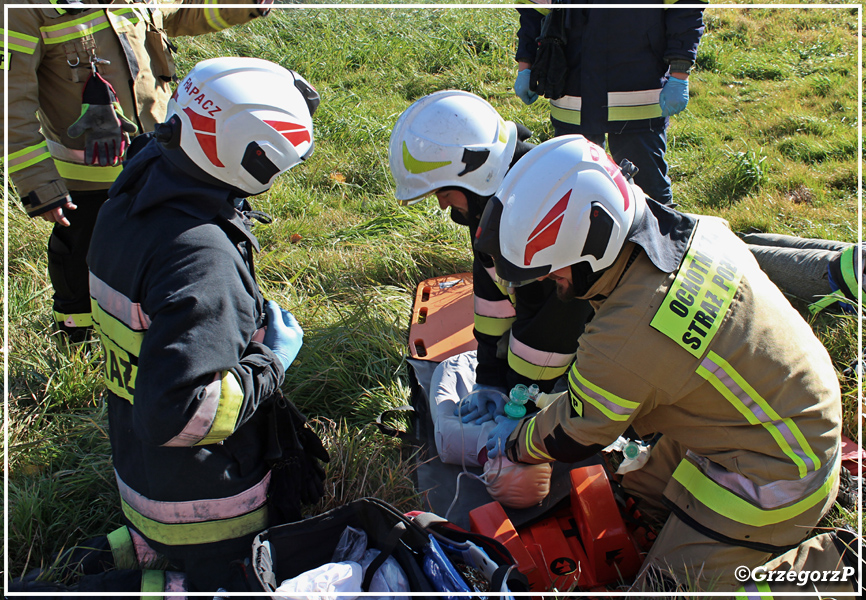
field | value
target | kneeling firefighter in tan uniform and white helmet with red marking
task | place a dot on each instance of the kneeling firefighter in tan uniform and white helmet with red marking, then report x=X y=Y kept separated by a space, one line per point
x=690 y=340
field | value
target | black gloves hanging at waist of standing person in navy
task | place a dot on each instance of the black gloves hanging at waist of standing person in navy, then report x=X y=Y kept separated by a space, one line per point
x=550 y=69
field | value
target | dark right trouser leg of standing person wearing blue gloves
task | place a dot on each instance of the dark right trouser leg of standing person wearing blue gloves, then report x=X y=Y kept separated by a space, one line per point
x=646 y=150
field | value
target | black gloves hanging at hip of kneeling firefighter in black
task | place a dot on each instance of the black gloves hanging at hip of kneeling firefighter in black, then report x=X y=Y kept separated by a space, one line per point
x=293 y=454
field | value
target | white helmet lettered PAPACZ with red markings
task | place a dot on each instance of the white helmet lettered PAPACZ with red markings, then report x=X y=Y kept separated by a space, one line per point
x=242 y=121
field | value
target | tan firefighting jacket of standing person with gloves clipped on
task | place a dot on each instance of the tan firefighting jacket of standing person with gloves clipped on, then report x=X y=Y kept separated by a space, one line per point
x=48 y=59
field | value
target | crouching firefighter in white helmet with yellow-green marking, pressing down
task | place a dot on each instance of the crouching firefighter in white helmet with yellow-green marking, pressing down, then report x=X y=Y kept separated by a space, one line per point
x=456 y=146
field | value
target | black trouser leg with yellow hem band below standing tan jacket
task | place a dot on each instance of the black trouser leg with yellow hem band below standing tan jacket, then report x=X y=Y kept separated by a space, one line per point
x=67 y=265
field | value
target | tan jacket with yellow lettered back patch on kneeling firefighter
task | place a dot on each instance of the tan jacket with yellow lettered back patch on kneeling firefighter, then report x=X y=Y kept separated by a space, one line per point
x=715 y=357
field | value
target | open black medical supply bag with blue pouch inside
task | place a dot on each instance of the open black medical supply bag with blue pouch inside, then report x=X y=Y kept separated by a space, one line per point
x=435 y=555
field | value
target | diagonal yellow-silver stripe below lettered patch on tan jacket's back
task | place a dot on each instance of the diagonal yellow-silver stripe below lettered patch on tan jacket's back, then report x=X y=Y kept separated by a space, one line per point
x=737 y=401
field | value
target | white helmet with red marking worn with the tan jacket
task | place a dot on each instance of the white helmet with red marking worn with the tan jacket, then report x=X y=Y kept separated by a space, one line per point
x=565 y=202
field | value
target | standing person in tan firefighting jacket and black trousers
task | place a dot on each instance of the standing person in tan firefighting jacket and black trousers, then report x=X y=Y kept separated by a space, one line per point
x=82 y=81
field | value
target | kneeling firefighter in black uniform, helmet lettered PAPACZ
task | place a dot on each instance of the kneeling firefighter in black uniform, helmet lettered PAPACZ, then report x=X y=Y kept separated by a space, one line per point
x=194 y=356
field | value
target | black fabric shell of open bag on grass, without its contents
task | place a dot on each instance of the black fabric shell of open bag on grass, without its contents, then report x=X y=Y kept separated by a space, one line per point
x=286 y=551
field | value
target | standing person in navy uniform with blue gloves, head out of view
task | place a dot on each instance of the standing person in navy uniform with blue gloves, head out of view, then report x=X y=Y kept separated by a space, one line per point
x=623 y=73
